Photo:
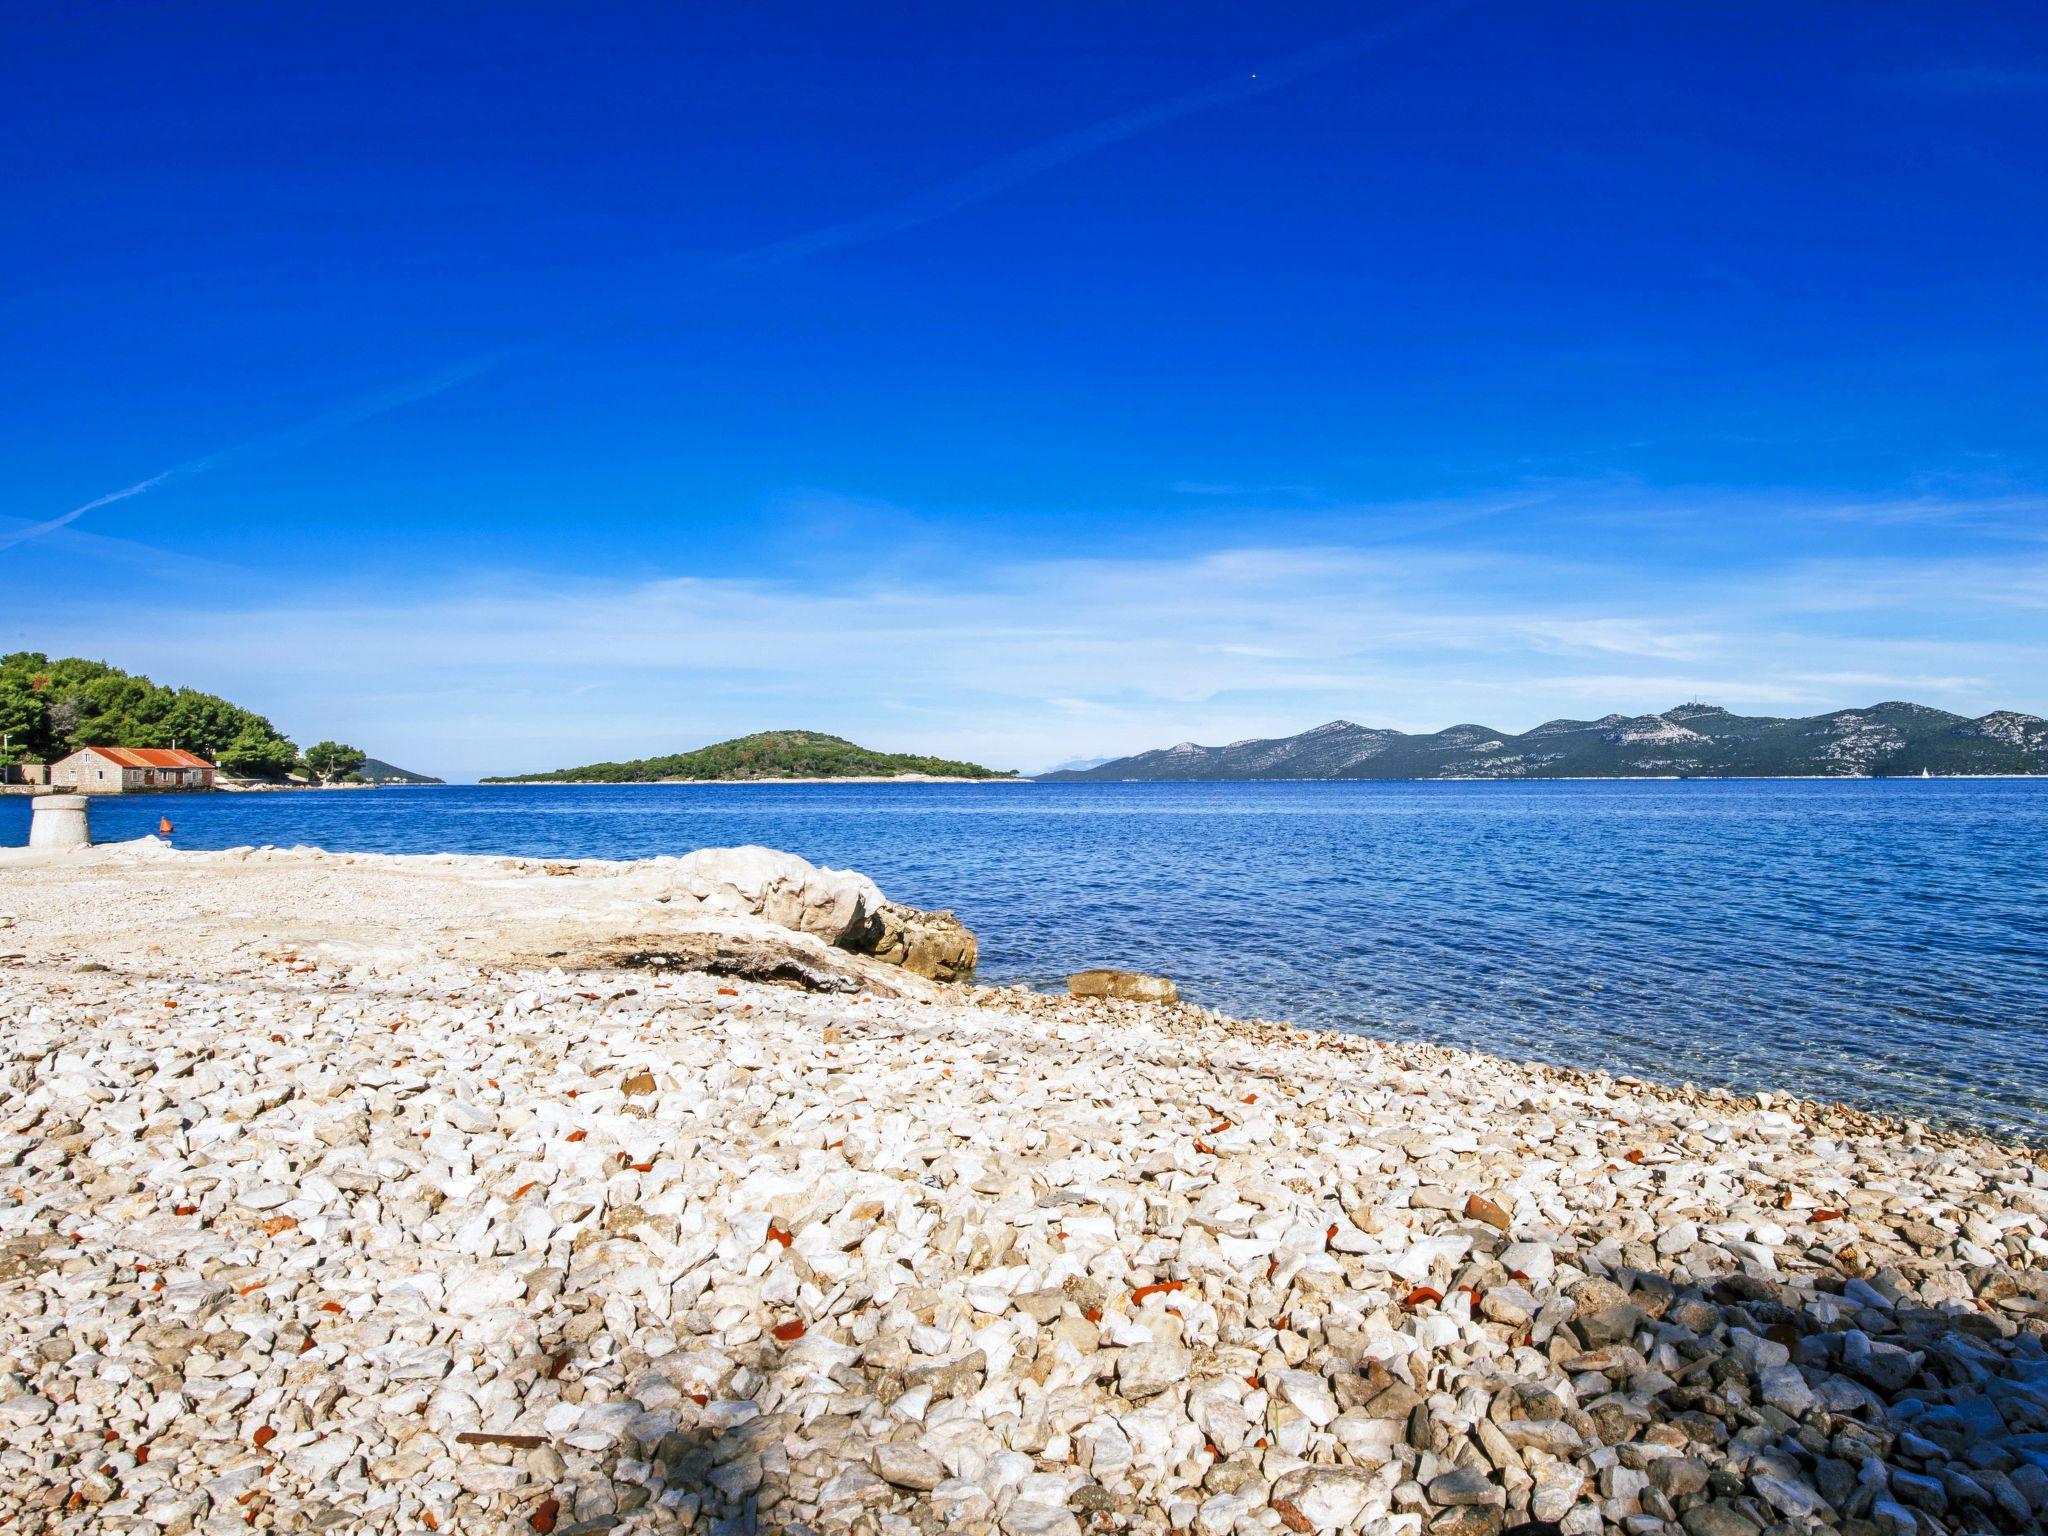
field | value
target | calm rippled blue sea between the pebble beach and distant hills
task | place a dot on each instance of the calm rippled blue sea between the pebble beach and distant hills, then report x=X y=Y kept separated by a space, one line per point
x=1883 y=943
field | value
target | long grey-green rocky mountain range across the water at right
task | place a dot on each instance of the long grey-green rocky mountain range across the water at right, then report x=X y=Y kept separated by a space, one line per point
x=1687 y=742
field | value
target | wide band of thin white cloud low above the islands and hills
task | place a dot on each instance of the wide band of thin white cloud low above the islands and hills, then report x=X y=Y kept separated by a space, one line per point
x=1033 y=663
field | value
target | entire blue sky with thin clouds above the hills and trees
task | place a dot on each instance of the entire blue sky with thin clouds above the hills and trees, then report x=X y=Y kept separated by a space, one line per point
x=517 y=388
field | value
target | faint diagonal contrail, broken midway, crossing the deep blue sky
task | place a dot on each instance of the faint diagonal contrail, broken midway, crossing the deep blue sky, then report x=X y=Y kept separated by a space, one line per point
x=908 y=214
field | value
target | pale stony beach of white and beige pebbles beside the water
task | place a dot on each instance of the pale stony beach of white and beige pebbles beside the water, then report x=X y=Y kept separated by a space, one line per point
x=407 y=1138
